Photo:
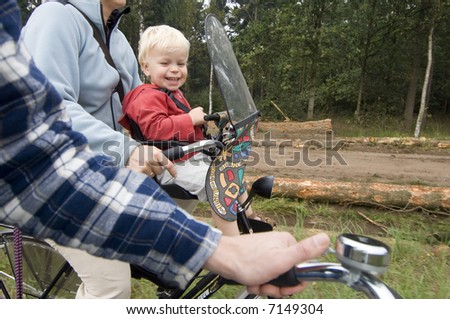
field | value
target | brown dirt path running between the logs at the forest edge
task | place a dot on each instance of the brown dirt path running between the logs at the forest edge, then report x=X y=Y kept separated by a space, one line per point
x=351 y=163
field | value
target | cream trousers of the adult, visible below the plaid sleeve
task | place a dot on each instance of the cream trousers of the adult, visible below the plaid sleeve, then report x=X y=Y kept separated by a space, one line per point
x=101 y=278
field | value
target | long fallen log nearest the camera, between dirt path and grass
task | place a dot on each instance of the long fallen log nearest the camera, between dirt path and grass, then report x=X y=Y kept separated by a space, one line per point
x=376 y=194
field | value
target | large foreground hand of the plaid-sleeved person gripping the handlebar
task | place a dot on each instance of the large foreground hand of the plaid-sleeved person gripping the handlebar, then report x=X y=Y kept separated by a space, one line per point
x=255 y=259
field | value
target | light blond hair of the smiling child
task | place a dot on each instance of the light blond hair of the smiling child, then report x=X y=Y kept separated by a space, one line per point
x=164 y=38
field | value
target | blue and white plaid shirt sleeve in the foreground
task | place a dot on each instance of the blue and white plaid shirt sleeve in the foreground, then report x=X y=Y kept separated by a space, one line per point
x=52 y=186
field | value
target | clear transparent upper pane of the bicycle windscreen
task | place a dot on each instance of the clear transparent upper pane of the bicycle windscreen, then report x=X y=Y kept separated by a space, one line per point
x=231 y=82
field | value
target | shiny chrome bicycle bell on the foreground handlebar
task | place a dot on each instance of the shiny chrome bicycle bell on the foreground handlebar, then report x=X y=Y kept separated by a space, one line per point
x=362 y=254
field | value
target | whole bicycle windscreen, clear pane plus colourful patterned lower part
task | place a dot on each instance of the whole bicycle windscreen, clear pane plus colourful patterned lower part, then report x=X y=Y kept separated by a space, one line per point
x=225 y=177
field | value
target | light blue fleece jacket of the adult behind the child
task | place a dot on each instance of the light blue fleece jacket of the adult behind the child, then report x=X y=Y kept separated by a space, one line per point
x=62 y=44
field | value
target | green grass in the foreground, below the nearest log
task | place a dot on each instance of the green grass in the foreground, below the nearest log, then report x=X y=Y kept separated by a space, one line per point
x=420 y=265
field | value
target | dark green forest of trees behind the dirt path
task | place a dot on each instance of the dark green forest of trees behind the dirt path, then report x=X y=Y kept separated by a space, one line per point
x=369 y=61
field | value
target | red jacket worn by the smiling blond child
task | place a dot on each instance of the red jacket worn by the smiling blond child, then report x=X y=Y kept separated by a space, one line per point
x=158 y=116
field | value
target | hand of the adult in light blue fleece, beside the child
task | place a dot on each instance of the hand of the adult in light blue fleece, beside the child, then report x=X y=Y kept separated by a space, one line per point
x=150 y=161
